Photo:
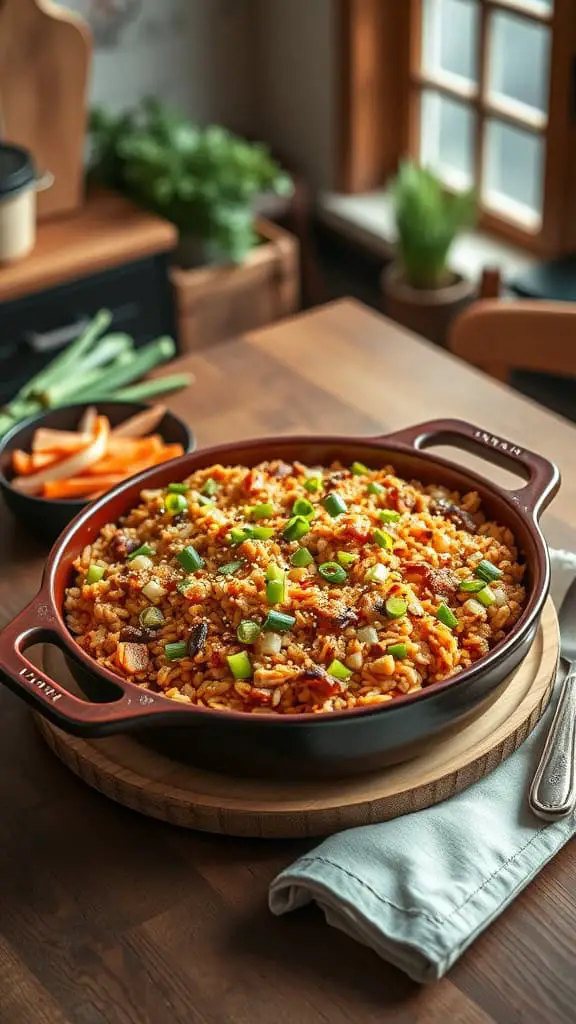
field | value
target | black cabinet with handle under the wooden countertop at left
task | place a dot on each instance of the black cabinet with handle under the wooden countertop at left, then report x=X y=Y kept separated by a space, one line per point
x=33 y=329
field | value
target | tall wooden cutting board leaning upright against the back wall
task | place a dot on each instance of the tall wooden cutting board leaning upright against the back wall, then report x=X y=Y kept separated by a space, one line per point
x=46 y=55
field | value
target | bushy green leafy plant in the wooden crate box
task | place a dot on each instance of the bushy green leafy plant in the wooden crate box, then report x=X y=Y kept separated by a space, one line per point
x=204 y=180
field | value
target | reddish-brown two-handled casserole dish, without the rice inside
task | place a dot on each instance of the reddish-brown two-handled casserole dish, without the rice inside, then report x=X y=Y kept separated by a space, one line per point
x=342 y=743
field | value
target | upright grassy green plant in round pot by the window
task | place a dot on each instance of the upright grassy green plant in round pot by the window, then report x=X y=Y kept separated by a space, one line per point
x=428 y=219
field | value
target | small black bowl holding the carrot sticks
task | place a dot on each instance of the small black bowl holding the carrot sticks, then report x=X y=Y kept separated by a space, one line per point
x=47 y=518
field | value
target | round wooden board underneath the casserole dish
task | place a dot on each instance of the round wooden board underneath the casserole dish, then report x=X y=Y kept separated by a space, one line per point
x=146 y=782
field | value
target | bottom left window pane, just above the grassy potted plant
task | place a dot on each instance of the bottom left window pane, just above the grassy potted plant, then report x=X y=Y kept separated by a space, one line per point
x=447 y=139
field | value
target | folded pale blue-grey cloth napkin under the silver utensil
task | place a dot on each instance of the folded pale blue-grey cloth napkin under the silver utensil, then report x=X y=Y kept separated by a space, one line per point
x=419 y=890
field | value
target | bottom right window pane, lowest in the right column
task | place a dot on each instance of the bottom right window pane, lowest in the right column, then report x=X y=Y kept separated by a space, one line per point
x=514 y=173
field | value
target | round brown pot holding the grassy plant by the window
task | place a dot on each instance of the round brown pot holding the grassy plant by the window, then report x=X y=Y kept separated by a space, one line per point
x=427 y=312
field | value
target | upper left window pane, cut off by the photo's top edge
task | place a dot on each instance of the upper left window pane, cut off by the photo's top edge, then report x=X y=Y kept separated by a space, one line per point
x=450 y=42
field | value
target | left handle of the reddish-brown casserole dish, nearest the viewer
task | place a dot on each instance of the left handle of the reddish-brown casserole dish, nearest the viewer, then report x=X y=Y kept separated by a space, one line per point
x=37 y=624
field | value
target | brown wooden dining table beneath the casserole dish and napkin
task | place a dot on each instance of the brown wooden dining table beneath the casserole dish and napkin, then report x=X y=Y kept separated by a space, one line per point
x=111 y=918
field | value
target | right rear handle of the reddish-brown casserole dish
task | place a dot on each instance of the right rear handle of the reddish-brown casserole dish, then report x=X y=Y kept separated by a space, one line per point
x=542 y=476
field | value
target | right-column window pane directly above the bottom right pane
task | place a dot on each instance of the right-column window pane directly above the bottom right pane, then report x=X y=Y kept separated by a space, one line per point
x=519 y=61
